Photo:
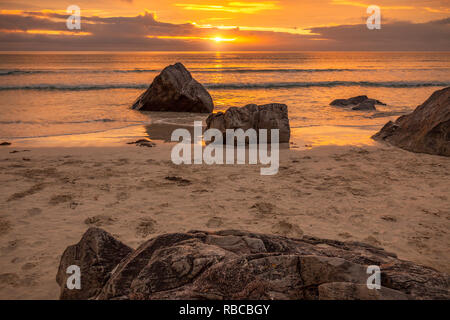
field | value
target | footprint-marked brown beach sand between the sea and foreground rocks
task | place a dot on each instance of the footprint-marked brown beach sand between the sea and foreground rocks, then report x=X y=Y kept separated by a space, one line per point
x=377 y=194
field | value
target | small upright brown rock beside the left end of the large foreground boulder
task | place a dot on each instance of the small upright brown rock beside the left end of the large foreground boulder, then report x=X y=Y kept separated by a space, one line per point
x=96 y=254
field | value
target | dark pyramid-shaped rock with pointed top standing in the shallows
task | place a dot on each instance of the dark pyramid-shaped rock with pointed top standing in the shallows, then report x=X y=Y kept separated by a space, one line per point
x=175 y=90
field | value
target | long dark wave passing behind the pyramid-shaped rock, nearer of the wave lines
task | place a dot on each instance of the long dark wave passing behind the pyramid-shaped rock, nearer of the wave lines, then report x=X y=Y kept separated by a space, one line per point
x=238 y=86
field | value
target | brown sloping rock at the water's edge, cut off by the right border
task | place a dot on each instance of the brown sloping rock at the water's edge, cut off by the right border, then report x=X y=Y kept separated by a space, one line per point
x=426 y=130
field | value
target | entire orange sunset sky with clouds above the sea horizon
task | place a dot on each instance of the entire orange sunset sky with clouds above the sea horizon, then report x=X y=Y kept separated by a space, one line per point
x=217 y=25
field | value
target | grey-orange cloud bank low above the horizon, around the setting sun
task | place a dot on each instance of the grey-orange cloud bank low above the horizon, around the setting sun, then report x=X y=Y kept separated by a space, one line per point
x=46 y=30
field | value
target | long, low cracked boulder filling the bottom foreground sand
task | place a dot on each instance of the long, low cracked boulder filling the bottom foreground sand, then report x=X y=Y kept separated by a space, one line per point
x=242 y=265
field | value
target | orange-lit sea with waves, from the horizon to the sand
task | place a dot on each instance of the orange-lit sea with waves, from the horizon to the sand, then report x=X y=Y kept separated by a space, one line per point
x=85 y=98
